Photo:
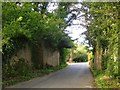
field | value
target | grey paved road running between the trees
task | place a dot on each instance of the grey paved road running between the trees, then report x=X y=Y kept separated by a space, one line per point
x=76 y=75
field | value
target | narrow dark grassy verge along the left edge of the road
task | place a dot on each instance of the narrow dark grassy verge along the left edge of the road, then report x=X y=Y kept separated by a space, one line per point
x=33 y=74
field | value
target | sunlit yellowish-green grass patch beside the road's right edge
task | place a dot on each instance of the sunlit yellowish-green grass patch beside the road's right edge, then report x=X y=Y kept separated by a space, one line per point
x=102 y=80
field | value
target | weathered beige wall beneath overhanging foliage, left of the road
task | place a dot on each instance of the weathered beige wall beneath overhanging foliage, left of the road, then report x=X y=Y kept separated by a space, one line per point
x=38 y=55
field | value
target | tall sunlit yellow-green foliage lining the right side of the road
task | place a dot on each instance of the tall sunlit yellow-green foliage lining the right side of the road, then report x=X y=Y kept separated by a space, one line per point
x=103 y=33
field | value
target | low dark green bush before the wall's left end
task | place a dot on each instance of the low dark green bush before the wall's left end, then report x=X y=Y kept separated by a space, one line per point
x=16 y=68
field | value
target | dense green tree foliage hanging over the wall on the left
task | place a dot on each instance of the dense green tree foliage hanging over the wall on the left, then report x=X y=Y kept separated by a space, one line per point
x=19 y=20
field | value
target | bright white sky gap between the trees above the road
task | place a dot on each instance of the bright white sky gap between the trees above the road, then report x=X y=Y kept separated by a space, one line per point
x=76 y=29
